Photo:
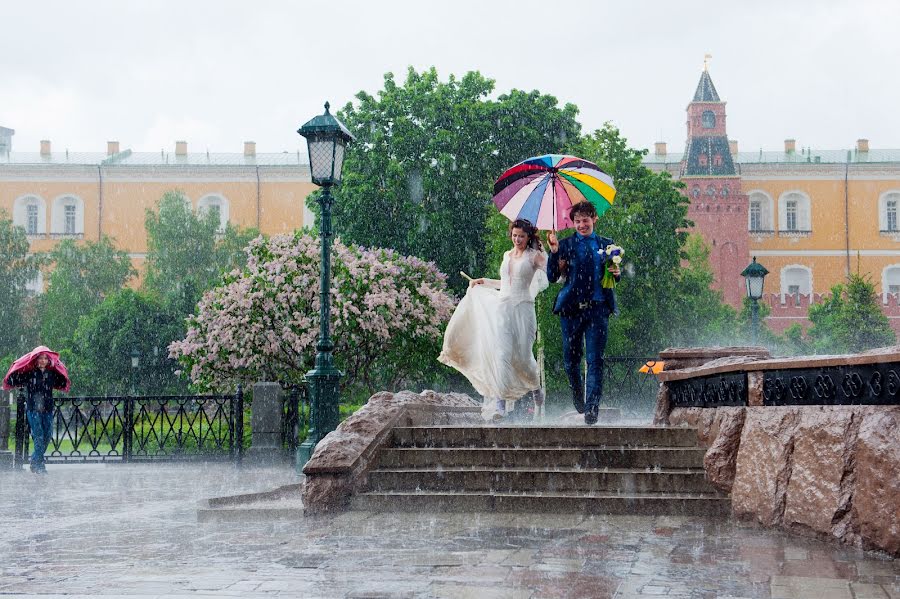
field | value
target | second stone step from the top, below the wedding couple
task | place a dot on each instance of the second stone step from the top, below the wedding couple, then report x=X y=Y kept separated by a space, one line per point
x=569 y=457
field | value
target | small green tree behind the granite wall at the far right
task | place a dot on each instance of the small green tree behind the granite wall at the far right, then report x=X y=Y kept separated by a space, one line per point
x=850 y=319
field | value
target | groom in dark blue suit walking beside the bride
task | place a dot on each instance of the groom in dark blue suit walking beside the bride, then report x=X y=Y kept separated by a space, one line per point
x=583 y=304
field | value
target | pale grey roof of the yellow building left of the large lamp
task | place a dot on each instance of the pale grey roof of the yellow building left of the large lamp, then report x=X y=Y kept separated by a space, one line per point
x=129 y=158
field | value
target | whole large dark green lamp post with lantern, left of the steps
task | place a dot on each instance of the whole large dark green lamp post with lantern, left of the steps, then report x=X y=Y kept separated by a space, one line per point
x=326 y=139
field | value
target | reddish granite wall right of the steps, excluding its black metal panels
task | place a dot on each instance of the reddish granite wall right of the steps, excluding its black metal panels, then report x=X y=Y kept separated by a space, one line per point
x=825 y=470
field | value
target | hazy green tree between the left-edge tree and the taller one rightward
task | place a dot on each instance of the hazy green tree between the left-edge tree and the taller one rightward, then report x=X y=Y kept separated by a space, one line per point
x=83 y=275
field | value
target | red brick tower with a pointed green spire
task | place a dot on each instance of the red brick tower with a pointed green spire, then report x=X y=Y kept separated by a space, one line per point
x=718 y=206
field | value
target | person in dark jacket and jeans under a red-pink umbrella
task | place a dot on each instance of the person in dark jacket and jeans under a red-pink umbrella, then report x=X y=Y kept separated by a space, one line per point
x=40 y=371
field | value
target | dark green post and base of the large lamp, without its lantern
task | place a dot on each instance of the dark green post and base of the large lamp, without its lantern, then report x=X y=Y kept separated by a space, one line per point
x=324 y=379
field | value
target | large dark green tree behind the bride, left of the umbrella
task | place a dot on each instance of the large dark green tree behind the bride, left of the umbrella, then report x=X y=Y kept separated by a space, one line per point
x=420 y=175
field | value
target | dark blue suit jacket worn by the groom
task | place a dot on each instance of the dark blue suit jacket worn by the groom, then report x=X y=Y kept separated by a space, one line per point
x=581 y=278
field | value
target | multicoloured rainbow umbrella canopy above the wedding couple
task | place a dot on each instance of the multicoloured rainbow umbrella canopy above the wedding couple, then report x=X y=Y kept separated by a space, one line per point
x=542 y=189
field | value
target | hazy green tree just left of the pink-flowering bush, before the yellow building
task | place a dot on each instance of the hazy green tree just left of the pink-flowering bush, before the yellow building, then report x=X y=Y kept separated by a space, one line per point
x=186 y=253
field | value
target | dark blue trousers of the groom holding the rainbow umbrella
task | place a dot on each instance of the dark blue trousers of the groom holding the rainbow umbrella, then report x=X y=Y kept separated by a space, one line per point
x=585 y=333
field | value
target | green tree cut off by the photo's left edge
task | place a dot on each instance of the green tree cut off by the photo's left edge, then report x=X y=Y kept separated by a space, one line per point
x=17 y=267
